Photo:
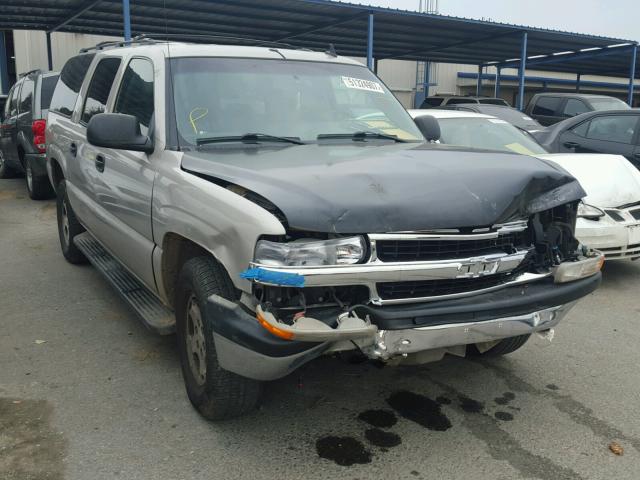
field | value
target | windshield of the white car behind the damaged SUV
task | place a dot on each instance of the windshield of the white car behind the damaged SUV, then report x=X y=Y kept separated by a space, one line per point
x=487 y=134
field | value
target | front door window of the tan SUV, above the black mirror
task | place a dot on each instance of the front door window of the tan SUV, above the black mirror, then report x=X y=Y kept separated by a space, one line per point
x=136 y=92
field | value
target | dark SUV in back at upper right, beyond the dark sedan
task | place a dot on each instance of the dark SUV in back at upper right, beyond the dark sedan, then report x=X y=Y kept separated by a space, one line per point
x=550 y=108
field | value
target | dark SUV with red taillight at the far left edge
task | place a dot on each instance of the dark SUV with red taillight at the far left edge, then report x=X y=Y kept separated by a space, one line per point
x=22 y=143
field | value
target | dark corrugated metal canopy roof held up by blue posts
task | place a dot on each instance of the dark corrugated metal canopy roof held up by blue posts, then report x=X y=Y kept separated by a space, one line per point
x=314 y=24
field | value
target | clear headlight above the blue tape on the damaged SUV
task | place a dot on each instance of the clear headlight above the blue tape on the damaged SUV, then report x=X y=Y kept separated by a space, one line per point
x=337 y=251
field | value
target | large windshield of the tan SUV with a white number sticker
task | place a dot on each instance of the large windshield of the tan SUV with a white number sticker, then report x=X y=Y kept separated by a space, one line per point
x=230 y=97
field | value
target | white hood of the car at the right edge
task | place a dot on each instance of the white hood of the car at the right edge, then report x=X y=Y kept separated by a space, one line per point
x=609 y=180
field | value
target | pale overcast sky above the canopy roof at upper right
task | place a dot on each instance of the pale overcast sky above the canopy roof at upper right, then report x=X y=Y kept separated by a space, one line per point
x=610 y=18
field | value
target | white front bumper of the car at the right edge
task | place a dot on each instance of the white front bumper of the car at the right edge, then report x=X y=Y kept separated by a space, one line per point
x=617 y=240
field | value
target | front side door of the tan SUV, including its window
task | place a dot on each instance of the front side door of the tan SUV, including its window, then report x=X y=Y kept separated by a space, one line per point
x=125 y=184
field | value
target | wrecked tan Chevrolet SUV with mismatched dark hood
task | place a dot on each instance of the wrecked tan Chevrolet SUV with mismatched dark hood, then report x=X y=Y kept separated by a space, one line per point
x=298 y=212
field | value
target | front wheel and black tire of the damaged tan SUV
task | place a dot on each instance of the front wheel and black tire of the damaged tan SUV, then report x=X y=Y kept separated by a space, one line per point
x=216 y=393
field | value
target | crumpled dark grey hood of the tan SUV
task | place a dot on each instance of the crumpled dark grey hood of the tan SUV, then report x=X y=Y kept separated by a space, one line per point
x=371 y=188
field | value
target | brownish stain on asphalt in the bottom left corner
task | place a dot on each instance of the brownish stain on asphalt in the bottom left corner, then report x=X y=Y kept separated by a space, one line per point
x=29 y=448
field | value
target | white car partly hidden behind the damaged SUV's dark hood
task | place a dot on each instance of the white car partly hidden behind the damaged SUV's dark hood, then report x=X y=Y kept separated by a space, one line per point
x=608 y=217
